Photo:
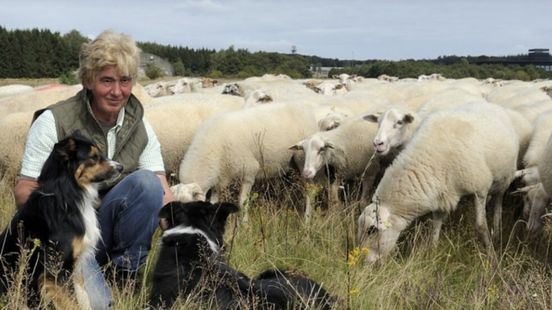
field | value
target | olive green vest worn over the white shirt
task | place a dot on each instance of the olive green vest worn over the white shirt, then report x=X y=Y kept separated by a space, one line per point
x=132 y=138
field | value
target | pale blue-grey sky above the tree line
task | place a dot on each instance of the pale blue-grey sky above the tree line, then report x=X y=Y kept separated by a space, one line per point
x=347 y=29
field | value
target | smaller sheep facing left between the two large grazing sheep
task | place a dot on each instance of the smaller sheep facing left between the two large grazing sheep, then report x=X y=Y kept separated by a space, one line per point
x=345 y=151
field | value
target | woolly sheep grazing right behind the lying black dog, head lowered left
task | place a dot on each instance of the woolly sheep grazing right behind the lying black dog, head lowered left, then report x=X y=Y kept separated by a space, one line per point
x=244 y=145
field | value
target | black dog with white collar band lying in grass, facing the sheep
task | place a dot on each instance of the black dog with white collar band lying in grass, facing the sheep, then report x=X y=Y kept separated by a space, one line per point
x=190 y=264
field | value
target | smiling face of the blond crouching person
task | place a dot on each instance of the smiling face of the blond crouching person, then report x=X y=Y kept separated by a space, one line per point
x=111 y=91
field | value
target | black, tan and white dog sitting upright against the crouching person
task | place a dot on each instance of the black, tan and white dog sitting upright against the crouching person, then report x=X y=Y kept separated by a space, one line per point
x=57 y=226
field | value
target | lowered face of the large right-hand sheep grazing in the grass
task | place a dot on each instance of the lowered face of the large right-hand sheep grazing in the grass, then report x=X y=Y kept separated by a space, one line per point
x=376 y=232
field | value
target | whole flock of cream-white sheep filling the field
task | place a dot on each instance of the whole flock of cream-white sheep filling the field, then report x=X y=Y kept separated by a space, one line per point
x=416 y=146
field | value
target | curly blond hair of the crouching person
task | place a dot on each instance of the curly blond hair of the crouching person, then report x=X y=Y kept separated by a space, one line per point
x=108 y=49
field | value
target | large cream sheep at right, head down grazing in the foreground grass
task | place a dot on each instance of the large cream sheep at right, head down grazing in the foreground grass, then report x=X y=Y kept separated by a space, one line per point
x=468 y=151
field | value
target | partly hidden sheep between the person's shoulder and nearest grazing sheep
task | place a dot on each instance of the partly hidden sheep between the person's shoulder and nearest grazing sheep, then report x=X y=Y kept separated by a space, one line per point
x=175 y=120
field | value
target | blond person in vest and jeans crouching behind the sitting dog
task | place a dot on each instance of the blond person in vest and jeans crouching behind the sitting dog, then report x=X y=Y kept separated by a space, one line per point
x=107 y=112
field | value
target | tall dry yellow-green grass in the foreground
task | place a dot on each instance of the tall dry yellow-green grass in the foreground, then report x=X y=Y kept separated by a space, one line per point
x=453 y=275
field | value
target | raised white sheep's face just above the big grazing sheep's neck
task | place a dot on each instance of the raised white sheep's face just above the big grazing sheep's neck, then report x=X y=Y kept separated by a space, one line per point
x=391 y=130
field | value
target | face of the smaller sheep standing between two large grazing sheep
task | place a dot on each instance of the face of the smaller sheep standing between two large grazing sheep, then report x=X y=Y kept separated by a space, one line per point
x=316 y=151
